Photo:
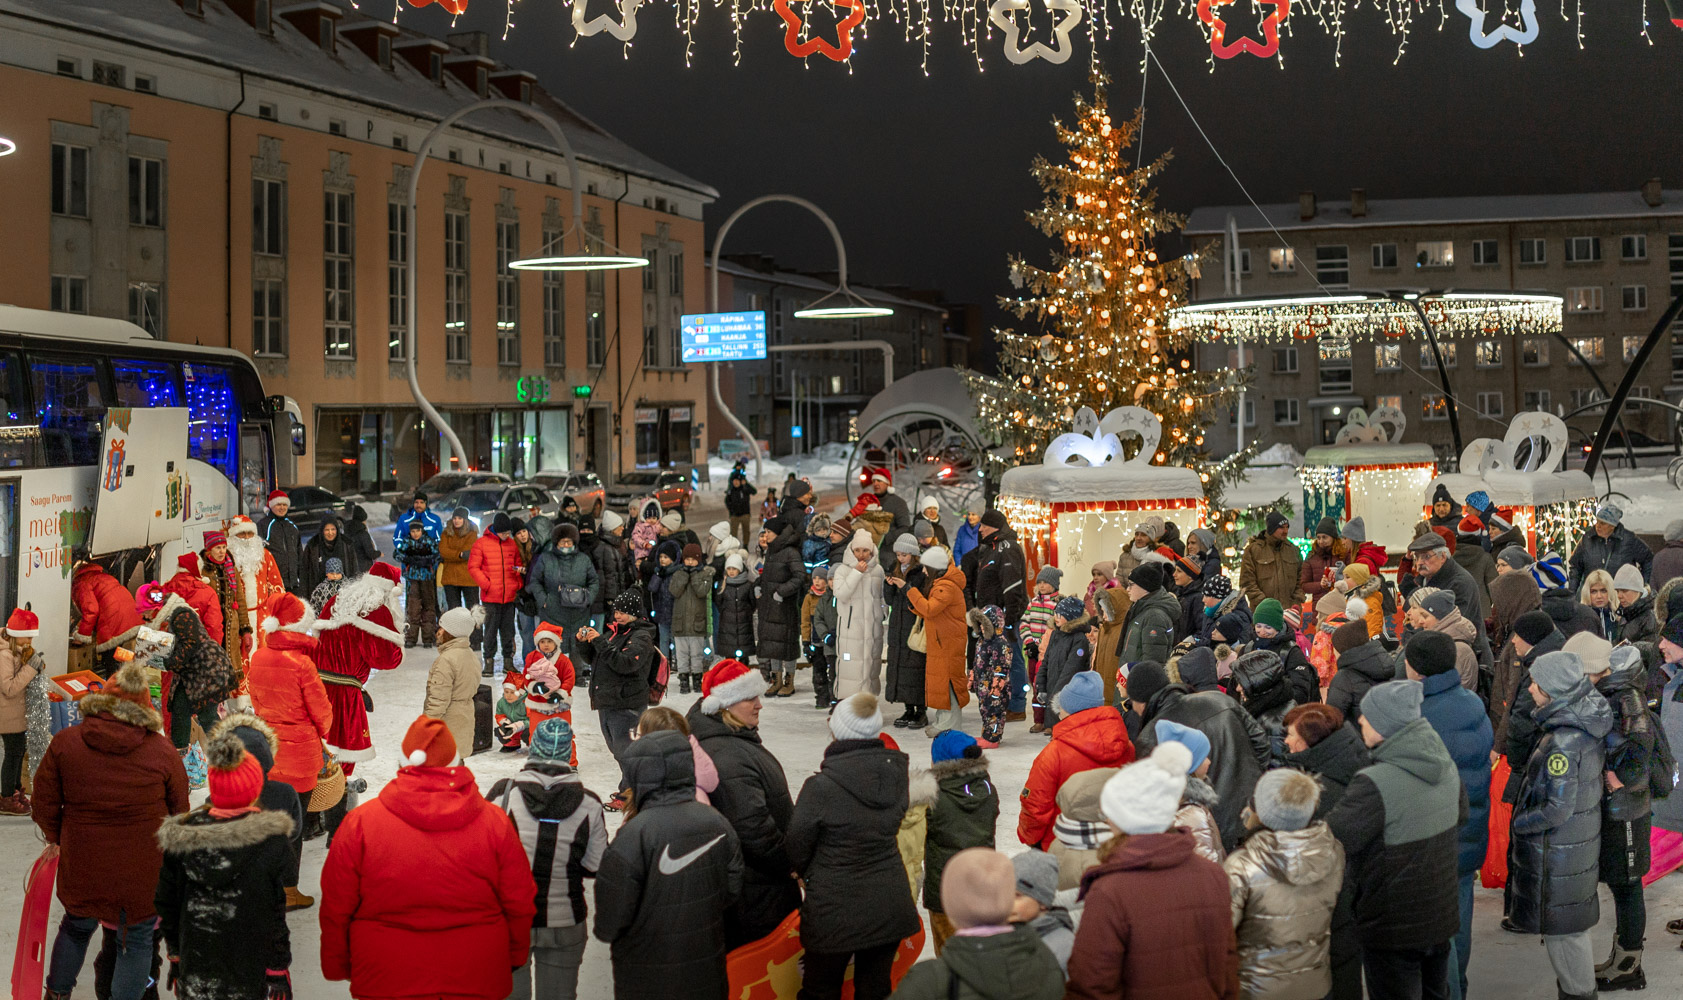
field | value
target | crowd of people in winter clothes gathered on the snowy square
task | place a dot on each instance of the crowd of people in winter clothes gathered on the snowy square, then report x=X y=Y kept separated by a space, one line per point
x=1278 y=787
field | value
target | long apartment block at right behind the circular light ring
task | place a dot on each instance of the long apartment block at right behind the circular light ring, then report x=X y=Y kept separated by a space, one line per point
x=1617 y=258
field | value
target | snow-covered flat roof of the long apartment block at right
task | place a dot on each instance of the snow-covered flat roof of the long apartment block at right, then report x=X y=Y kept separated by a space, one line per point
x=1615 y=205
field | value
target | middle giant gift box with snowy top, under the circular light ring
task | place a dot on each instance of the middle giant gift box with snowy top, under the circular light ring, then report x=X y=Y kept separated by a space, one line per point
x=1367 y=472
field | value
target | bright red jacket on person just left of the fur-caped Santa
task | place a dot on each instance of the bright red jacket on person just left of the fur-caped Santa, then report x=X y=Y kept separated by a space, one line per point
x=287 y=693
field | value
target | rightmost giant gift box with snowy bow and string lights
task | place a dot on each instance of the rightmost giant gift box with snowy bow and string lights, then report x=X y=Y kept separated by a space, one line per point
x=1554 y=508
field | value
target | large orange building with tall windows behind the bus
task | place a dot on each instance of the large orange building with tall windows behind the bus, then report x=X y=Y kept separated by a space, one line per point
x=235 y=173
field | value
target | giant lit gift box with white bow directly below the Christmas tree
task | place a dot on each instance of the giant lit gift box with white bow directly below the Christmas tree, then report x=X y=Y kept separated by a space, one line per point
x=1083 y=503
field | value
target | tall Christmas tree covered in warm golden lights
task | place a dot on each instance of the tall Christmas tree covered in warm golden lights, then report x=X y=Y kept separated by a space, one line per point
x=1105 y=311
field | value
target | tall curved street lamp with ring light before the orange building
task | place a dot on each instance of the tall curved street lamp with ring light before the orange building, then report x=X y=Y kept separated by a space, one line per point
x=578 y=262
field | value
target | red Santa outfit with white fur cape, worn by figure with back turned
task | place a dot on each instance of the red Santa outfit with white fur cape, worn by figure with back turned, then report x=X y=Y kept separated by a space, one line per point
x=356 y=636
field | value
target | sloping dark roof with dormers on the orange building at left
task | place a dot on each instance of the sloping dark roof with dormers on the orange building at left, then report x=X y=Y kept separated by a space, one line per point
x=221 y=38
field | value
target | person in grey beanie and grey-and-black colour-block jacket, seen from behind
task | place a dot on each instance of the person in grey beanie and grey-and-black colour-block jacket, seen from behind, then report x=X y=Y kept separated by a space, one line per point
x=1399 y=824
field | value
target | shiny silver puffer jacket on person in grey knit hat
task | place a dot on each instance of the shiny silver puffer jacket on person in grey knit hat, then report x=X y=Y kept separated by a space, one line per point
x=1283 y=891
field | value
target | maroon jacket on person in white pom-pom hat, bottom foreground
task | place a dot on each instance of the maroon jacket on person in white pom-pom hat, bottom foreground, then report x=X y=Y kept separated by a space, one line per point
x=1157 y=927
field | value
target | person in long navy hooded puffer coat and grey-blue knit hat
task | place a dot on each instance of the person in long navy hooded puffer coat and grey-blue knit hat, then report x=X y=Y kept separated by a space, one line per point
x=1558 y=822
